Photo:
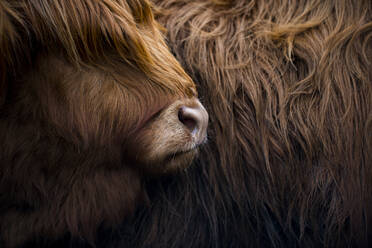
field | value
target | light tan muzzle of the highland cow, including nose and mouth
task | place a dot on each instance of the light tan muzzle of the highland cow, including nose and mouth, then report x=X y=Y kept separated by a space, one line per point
x=175 y=135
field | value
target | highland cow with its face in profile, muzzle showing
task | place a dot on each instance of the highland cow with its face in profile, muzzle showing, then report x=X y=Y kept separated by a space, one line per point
x=92 y=103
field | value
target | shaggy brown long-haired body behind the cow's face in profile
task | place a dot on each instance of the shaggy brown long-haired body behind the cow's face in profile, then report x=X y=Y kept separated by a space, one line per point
x=288 y=86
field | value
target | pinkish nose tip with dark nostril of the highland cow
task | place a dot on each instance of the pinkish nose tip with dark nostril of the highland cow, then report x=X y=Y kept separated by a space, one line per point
x=195 y=119
